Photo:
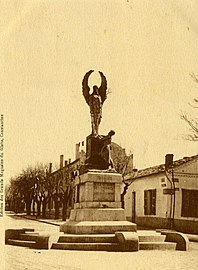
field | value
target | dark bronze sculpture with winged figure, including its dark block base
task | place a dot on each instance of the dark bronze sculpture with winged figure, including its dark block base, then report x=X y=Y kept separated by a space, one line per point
x=98 y=147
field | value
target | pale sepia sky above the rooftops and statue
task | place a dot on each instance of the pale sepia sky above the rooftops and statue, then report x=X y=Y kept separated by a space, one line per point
x=147 y=51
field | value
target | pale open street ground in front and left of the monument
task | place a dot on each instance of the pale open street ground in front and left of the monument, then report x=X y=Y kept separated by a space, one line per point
x=19 y=258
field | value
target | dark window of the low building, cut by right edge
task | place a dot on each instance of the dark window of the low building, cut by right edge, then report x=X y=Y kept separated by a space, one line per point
x=189 y=203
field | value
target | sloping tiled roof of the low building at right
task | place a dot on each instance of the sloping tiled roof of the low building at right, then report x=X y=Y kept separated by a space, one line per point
x=159 y=168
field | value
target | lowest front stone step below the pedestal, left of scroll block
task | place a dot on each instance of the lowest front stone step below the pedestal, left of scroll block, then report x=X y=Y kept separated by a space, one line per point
x=87 y=246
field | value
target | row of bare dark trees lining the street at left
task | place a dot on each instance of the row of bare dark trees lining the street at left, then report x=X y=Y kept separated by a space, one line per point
x=33 y=189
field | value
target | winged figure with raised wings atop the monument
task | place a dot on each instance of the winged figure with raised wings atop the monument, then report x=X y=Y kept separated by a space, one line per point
x=95 y=100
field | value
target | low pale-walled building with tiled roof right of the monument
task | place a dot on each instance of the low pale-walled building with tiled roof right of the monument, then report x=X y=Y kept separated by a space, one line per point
x=160 y=199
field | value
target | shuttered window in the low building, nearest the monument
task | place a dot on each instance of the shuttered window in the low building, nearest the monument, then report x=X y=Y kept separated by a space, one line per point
x=150 y=202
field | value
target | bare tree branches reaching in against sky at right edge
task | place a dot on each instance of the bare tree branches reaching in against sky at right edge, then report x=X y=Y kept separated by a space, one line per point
x=192 y=122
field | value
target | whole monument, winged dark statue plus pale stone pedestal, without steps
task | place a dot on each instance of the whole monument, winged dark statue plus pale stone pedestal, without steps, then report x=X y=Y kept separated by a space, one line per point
x=97 y=207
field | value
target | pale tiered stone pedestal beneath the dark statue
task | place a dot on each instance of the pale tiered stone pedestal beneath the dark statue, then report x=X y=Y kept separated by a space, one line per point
x=97 y=207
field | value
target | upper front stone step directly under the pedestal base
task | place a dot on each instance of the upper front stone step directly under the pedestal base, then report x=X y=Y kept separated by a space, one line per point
x=97 y=238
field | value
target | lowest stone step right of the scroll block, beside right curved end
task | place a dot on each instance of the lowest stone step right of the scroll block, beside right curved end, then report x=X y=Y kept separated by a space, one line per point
x=157 y=246
